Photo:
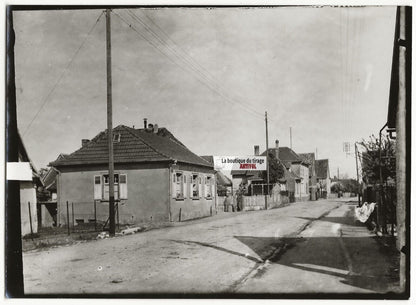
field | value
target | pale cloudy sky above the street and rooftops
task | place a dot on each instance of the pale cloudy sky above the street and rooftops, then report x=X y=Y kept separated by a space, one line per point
x=207 y=75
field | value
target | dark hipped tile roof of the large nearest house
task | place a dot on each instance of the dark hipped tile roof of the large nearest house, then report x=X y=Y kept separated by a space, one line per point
x=135 y=145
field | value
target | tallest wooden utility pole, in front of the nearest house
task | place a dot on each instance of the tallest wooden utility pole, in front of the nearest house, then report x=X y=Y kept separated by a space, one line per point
x=110 y=127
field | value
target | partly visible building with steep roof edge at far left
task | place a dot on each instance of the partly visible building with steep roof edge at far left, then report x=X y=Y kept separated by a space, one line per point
x=28 y=200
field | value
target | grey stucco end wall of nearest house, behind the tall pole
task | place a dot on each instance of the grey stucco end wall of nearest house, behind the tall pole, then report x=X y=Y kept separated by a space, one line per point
x=148 y=196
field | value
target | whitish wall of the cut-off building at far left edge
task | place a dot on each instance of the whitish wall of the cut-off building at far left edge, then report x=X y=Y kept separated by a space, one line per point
x=28 y=194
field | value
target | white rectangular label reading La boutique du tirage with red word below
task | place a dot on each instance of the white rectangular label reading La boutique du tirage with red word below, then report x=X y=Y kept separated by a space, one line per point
x=227 y=163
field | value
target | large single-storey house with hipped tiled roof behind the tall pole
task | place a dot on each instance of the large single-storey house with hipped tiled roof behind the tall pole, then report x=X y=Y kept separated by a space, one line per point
x=157 y=178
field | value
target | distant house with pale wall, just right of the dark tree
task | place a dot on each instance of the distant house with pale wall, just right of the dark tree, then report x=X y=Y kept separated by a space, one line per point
x=298 y=168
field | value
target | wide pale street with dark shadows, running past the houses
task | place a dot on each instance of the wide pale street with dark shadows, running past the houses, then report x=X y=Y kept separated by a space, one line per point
x=305 y=247
